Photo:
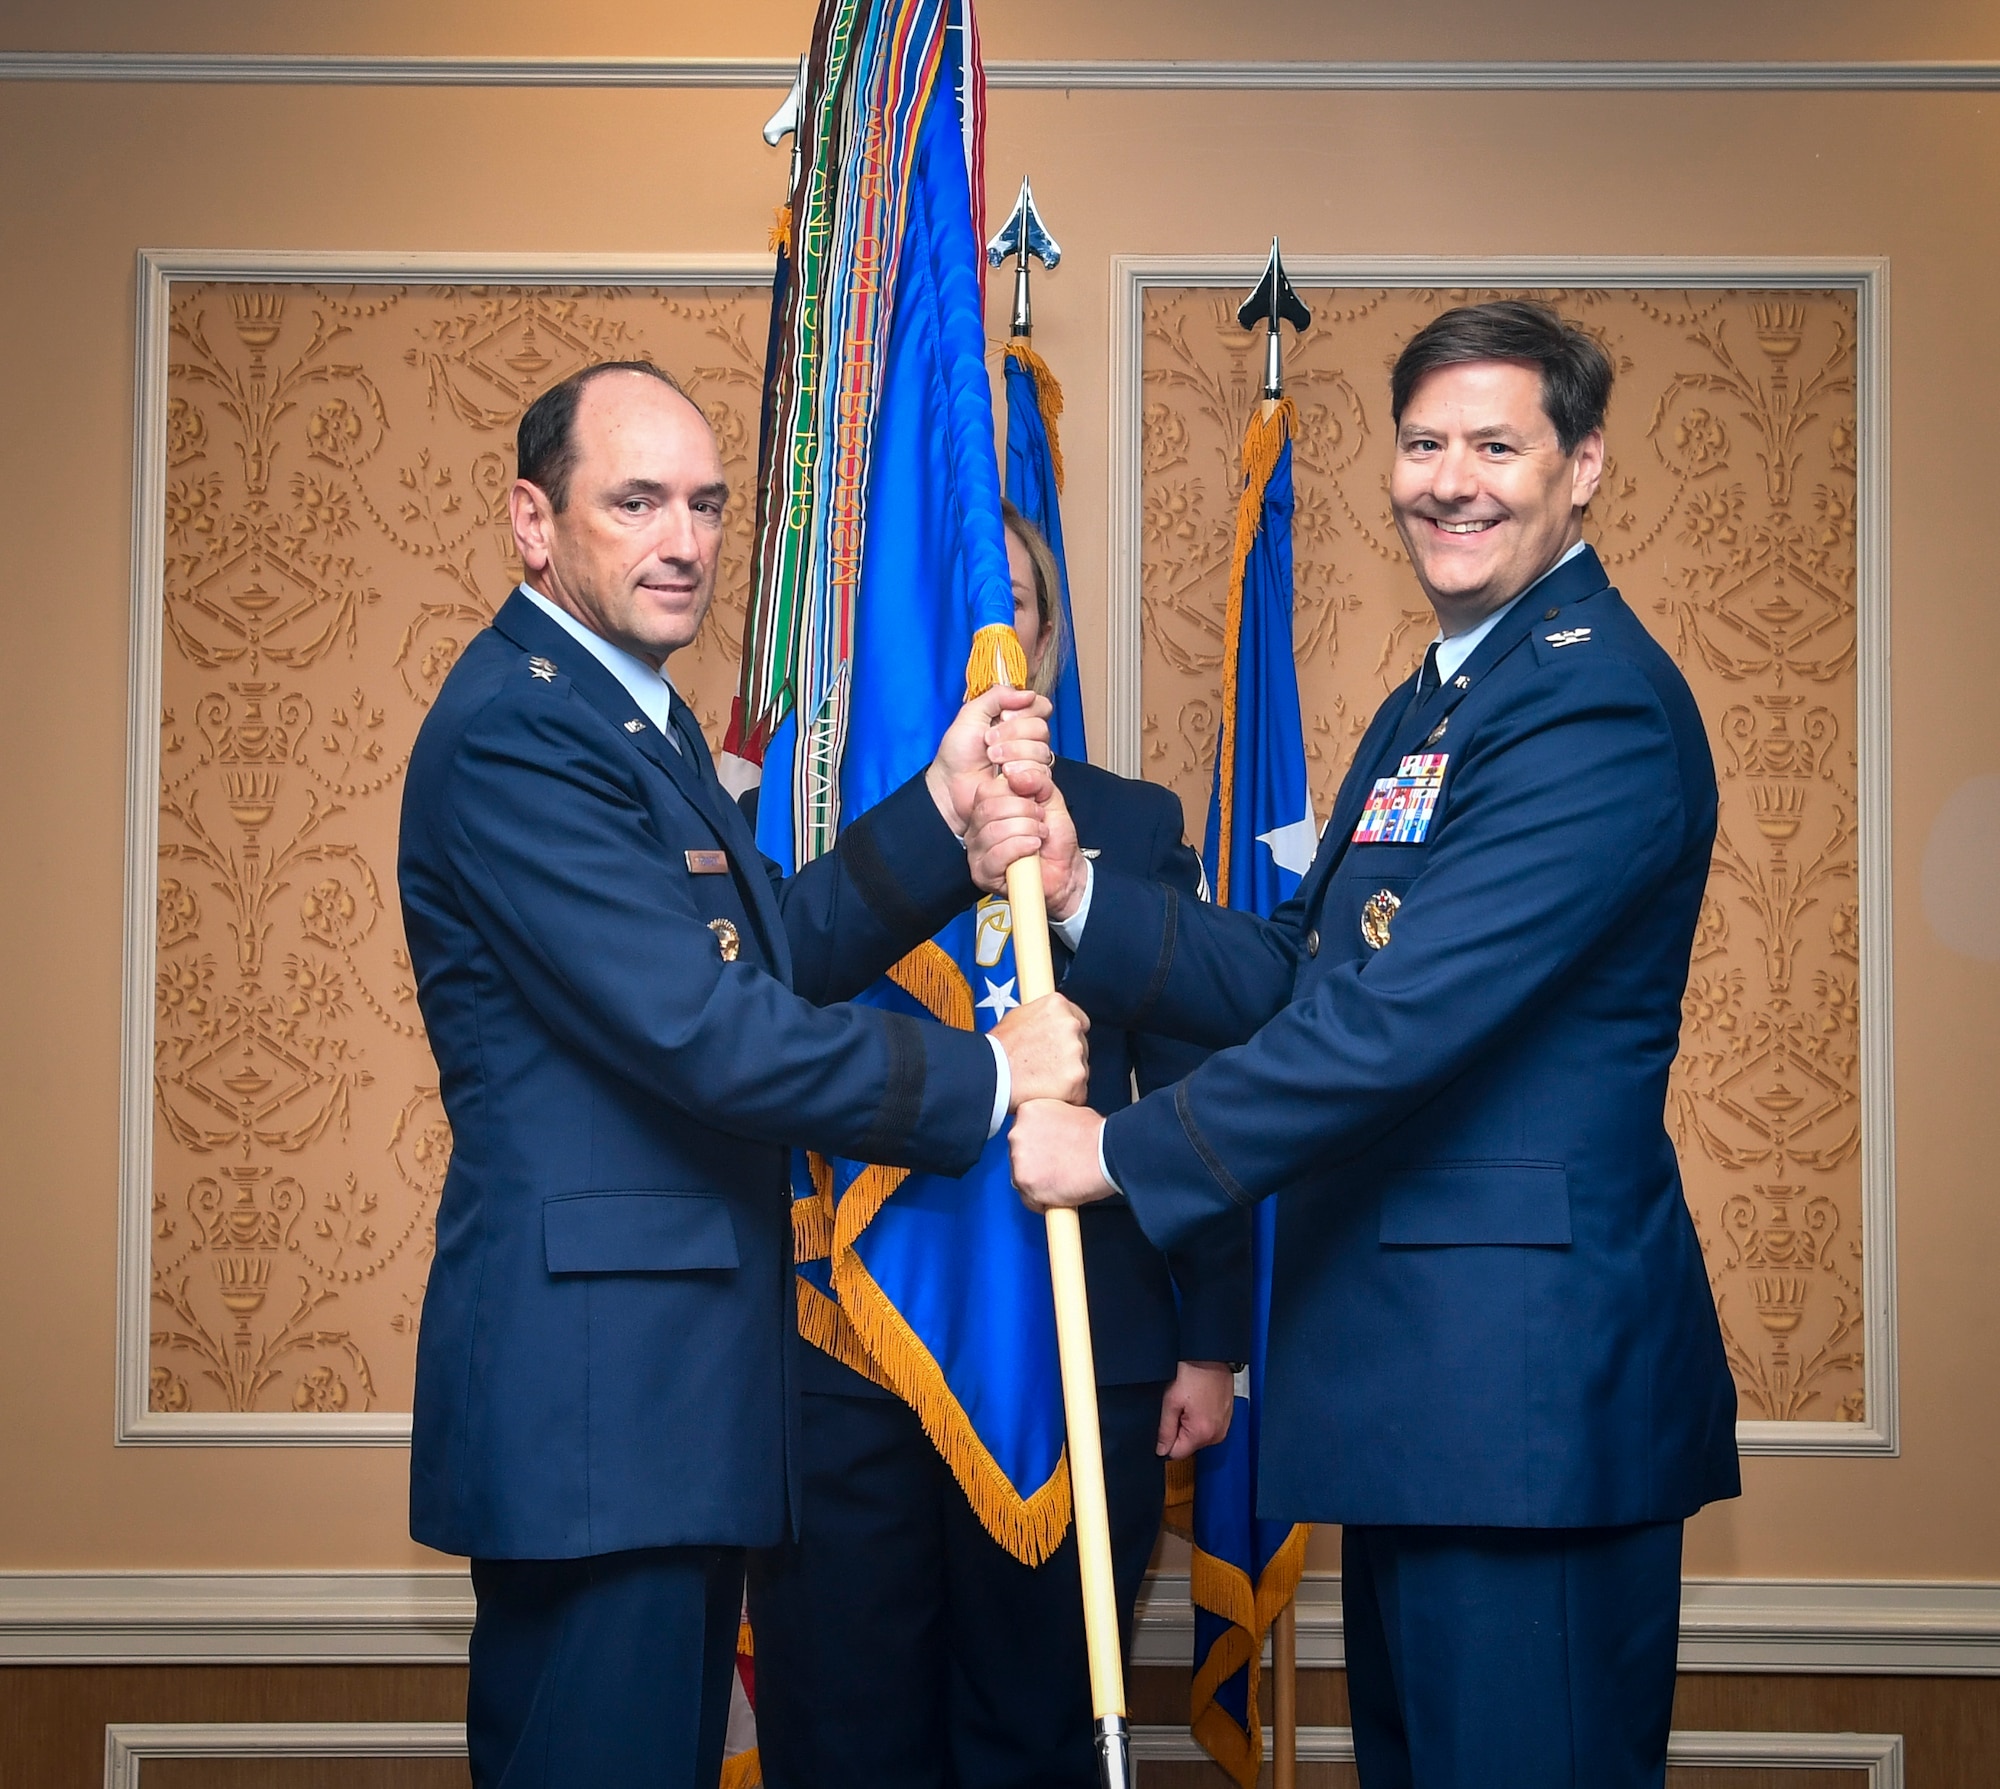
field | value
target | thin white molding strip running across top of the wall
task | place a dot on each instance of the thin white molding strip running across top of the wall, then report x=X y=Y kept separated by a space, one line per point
x=777 y=73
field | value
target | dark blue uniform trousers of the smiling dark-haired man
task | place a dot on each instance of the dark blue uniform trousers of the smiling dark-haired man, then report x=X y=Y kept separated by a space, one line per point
x=1511 y=1658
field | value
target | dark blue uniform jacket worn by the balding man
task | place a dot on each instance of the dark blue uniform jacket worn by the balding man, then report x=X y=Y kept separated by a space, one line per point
x=607 y=1354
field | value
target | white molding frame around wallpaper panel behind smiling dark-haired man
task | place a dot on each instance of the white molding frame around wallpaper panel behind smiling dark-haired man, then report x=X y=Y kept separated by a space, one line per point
x=1867 y=279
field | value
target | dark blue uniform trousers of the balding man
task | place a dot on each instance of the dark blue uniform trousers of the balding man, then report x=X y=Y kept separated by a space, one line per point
x=607 y=1672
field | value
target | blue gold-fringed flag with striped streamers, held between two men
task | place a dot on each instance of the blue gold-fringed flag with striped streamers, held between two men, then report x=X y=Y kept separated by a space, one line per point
x=881 y=599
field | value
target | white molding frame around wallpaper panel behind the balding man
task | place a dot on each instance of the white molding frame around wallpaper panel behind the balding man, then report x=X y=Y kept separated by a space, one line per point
x=159 y=271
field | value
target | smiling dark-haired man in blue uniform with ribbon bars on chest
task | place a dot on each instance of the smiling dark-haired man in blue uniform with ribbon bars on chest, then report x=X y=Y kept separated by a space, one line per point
x=1493 y=1348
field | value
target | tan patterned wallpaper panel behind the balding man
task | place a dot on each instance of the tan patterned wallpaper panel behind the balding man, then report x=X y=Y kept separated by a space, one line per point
x=331 y=531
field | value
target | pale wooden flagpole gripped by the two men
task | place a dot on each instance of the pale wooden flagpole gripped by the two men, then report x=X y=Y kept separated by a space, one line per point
x=1079 y=1384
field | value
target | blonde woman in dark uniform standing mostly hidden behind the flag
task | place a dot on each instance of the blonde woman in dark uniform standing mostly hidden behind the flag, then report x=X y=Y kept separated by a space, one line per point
x=899 y=1646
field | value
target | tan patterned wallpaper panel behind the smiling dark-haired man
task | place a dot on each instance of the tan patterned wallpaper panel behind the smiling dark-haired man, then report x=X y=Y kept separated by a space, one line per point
x=1729 y=521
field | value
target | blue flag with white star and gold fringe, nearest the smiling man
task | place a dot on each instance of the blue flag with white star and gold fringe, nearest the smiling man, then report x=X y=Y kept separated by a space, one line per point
x=1257 y=849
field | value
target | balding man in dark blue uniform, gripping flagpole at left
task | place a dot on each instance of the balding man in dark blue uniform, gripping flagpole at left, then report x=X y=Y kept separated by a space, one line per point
x=633 y=1028
